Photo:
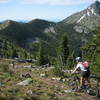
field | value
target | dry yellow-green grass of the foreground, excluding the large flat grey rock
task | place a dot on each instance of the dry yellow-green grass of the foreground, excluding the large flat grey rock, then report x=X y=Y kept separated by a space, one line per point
x=42 y=88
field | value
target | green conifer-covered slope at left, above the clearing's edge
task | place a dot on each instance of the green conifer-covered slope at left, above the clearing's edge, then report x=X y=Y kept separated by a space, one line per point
x=9 y=49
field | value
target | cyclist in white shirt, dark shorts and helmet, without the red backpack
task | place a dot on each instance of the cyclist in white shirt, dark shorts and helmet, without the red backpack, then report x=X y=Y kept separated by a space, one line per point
x=85 y=72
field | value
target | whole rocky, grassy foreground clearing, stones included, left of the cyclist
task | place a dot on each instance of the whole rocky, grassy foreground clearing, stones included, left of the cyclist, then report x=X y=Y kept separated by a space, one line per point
x=24 y=81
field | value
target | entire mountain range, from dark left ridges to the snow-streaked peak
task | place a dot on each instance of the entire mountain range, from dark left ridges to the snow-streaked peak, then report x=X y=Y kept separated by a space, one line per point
x=78 y=27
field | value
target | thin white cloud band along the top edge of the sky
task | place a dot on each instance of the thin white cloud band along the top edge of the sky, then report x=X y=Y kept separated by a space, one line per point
x=57 y=2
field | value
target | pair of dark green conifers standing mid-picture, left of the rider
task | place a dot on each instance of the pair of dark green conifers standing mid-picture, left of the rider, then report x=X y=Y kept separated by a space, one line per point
x=63 y=56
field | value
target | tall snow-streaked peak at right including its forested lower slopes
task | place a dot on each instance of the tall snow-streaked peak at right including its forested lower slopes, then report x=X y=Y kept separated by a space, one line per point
x=79 y=26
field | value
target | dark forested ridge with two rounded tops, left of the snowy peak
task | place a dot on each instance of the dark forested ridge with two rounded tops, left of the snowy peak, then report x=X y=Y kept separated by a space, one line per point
x=25 y=31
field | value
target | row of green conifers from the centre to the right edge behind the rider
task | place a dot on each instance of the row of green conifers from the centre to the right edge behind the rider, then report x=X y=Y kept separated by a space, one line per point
x=65 y=57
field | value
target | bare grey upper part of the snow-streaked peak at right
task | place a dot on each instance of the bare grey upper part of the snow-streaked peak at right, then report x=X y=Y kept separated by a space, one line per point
x=90 y=17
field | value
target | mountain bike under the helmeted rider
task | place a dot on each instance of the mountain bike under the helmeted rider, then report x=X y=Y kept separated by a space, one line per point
x=74 y=81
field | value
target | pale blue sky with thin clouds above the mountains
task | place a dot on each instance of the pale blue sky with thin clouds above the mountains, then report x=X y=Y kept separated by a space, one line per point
x=52 y=10
